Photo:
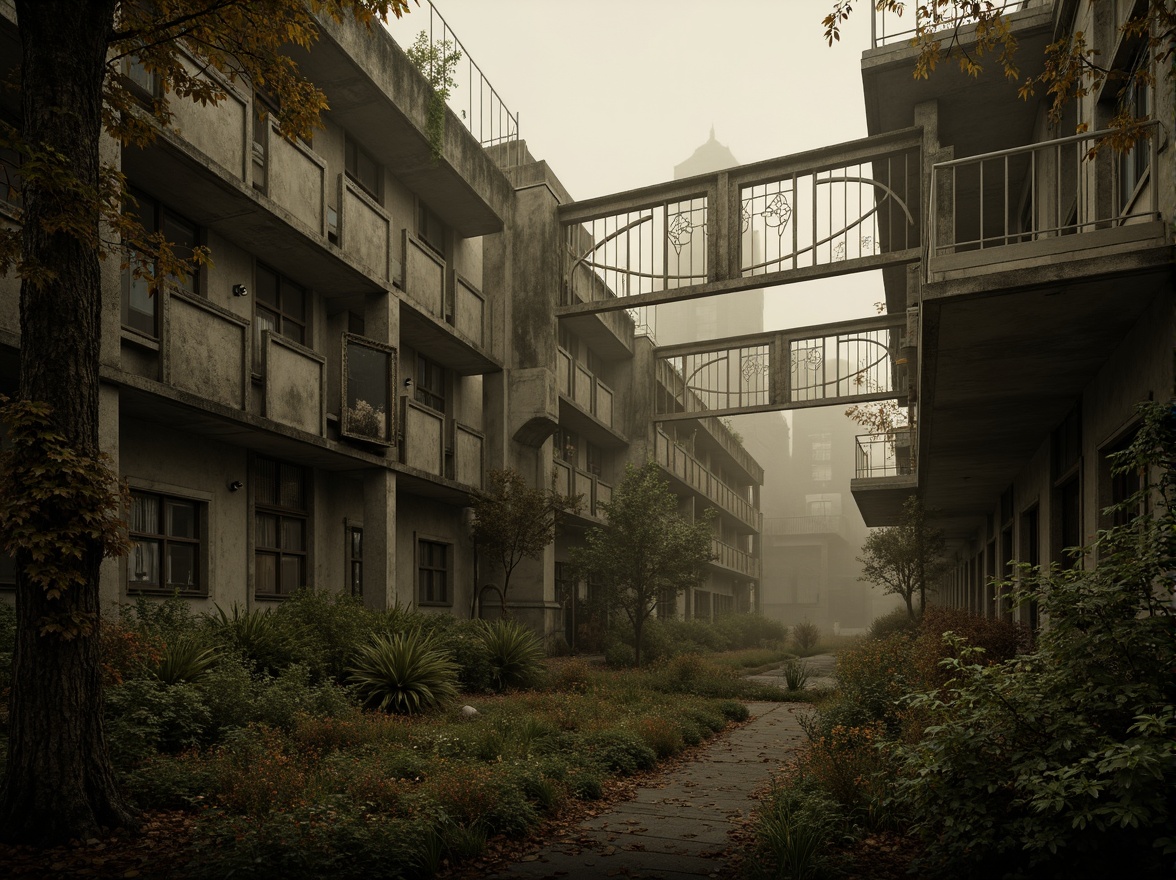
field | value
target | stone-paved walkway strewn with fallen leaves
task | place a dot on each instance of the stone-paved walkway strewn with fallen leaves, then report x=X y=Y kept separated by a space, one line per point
x=677 y=828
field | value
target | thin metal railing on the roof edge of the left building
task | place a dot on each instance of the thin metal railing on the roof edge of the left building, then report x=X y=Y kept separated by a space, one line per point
x=472 y=97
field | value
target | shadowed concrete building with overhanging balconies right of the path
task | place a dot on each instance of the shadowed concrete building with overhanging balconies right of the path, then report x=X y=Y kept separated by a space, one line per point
x=1044 y=296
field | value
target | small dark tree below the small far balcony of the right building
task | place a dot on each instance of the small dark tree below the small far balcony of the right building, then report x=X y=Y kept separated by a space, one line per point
x=905 y=559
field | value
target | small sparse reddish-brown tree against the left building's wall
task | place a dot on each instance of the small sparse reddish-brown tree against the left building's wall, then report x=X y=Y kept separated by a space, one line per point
x=514 y=522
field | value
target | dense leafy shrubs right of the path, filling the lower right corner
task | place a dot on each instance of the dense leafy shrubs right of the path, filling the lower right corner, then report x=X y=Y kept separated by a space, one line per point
x=1003 y=758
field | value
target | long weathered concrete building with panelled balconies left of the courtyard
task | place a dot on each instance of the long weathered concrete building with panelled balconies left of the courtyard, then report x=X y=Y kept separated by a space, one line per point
x=376 y=332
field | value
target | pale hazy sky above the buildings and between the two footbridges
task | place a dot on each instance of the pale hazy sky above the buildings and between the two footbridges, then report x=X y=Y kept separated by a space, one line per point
x=614 y=95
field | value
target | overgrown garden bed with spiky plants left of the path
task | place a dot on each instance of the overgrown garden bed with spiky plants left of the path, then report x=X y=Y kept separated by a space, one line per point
x=322 y=739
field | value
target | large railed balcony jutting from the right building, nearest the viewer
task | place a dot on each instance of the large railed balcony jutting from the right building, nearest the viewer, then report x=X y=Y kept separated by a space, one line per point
x=1044 y=209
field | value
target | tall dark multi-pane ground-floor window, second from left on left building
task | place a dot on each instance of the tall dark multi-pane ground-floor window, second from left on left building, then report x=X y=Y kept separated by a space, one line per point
x=280 y=528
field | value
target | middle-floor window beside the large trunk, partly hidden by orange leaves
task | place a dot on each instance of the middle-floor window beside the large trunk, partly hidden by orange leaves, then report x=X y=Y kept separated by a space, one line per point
x=141 y=303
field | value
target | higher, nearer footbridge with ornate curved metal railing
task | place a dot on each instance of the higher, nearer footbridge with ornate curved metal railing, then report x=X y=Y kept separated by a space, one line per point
x=840 y=210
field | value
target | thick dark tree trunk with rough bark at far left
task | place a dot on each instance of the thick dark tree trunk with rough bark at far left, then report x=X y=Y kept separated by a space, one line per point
x=59 y=783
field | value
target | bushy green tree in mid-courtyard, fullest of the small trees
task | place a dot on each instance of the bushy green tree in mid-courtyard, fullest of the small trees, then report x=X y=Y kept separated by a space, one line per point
x=646 y=551
